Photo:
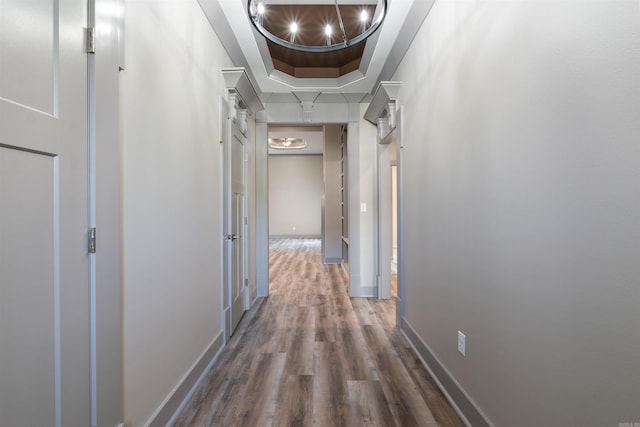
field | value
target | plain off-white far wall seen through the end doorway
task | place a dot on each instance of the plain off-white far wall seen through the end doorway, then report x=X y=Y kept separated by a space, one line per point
x=295 y=195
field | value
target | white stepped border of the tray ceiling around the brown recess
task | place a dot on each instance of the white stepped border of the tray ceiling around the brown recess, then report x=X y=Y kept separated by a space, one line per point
x=383 y=51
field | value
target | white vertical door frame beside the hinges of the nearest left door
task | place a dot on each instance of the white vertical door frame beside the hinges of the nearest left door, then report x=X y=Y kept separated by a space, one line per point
x=107 y=16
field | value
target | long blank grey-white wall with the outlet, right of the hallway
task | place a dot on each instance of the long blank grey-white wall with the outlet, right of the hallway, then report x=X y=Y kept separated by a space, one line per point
x=522 y=205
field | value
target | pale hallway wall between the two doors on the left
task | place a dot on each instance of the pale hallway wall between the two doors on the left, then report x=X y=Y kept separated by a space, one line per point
x=171 y=184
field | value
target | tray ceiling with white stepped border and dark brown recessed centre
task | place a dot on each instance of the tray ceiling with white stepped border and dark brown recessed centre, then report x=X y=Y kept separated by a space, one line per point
x=349 y=75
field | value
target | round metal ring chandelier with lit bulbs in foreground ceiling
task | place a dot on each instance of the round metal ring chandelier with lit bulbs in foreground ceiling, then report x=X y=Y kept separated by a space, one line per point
x=258 y=15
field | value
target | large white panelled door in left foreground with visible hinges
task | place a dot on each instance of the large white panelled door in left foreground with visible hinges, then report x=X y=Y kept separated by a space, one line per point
x=44 y=271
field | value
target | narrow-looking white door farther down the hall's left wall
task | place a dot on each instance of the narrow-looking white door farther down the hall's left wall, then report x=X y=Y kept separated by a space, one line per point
x=236 y=239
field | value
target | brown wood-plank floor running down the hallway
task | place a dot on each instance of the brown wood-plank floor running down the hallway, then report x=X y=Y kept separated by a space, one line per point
x=310 y=355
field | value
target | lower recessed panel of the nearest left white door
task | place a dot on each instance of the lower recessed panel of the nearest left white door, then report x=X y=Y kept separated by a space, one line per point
x=29 y=314
